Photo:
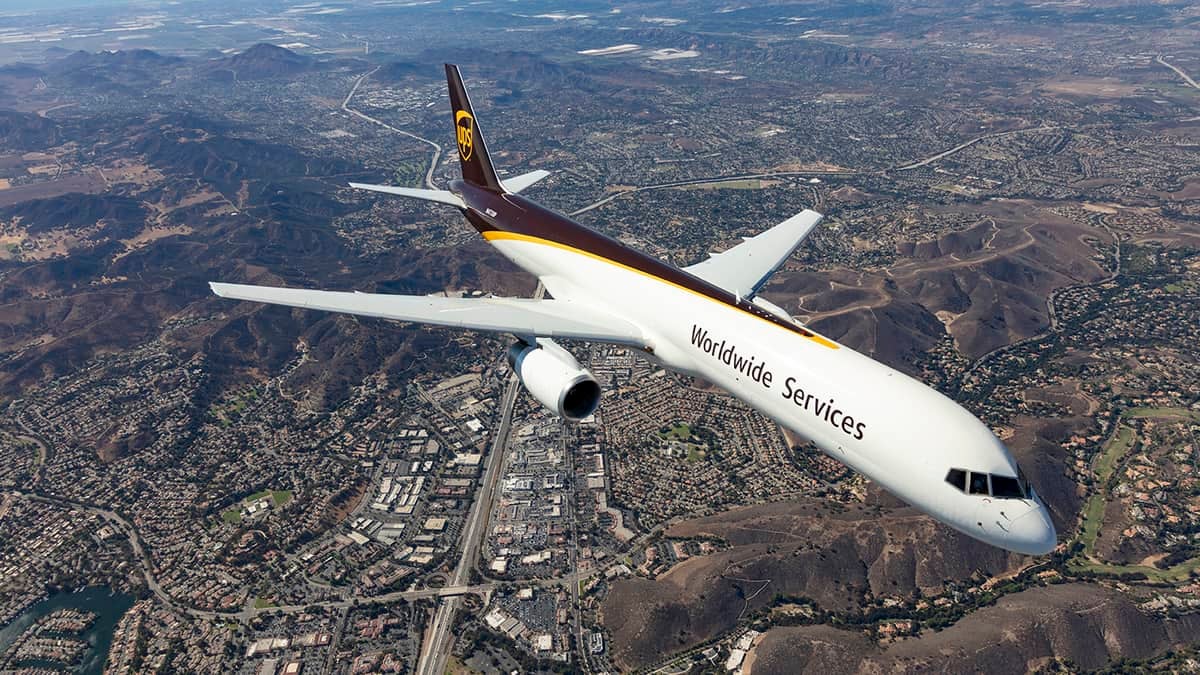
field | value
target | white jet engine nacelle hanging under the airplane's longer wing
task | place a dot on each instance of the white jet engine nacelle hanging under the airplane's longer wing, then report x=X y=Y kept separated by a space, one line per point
x=556 y=380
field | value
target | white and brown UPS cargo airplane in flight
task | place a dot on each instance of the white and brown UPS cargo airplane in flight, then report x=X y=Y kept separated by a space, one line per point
x=706 y=321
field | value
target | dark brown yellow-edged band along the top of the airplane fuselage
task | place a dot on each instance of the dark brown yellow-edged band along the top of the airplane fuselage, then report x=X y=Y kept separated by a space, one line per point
x=489 y=212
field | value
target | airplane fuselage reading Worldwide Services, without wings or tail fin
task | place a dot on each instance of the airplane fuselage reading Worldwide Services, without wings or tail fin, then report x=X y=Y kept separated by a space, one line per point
x=878 y=421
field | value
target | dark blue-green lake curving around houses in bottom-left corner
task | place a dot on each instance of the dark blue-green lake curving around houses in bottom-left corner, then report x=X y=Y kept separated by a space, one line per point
x=107 y=606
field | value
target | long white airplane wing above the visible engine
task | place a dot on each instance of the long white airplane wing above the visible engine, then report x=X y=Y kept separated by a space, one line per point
x=519 y=316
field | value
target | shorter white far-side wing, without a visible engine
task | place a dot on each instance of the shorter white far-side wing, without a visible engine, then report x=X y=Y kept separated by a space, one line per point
x=747 y=267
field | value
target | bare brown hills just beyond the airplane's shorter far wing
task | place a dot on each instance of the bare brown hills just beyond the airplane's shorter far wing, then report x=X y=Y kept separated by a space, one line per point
x=987 y=285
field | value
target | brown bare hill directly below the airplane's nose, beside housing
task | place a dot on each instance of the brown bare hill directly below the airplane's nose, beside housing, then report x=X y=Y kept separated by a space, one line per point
x=807 y=548
